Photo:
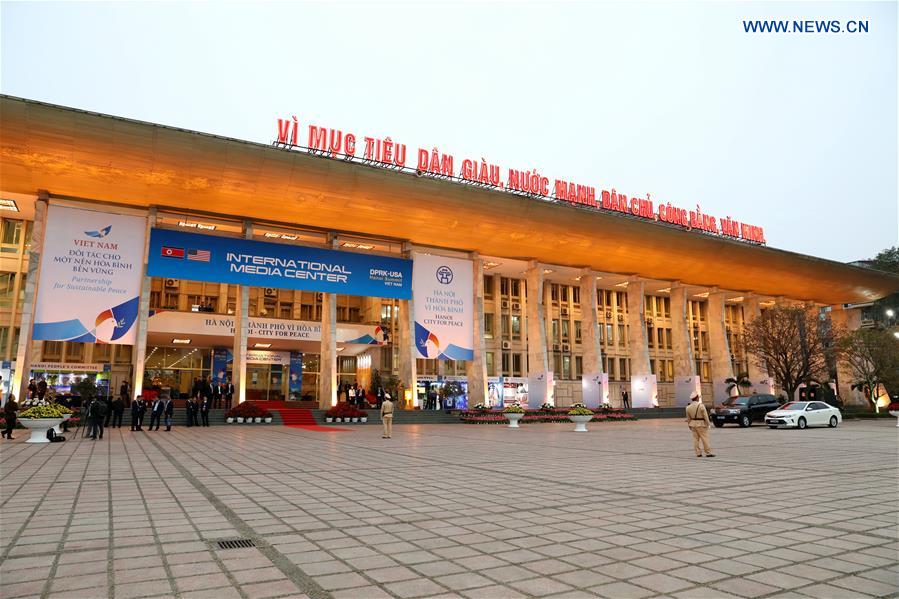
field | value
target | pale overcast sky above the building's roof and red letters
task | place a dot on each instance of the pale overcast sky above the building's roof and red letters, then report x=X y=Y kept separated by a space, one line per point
x=795 y=132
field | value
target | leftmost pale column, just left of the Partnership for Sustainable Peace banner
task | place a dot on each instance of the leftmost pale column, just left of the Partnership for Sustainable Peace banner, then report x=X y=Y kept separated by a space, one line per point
x=19 y=382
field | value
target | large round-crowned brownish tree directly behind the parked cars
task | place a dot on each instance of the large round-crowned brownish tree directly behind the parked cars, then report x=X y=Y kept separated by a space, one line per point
x=794 y=345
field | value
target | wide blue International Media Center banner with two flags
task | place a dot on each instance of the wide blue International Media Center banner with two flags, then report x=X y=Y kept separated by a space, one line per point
x=195 y=257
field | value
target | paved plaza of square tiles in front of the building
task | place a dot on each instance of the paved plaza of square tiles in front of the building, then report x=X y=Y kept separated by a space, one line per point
x=453 y=511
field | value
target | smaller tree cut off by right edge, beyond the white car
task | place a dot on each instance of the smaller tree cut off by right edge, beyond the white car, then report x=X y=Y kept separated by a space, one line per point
x=873 y=357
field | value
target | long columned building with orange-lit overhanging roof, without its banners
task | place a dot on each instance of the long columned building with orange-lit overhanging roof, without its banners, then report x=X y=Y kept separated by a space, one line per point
x=570 y=302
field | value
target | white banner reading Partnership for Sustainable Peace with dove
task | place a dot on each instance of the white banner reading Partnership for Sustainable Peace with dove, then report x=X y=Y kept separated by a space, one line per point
x=89 y=286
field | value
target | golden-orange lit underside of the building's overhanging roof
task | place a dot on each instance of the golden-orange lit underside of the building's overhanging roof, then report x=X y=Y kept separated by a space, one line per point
x=79 y=154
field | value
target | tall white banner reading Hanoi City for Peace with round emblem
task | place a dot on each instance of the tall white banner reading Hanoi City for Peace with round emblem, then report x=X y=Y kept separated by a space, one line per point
x=444 y=307
